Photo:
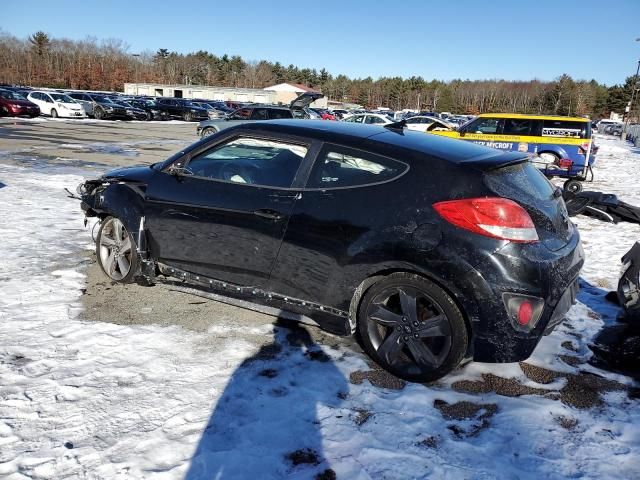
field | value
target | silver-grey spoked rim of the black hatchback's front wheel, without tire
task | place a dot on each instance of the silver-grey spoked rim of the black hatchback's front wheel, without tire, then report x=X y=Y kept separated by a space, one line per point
x=115 y=249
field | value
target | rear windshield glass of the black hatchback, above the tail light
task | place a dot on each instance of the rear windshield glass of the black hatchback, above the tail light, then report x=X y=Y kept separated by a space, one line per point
x=518 y=181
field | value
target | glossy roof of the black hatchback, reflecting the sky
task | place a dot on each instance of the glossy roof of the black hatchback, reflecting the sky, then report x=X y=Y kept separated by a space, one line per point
x=457 y=151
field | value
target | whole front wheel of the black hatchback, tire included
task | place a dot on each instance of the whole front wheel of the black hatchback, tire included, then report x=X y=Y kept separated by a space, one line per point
x=116 y=251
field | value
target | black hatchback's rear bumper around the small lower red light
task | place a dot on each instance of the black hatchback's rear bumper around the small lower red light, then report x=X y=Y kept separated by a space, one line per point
x=527 y=270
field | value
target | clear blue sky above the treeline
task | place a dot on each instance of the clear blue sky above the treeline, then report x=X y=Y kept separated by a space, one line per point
x=514 y=40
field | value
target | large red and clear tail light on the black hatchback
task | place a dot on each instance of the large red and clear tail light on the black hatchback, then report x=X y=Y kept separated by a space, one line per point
x=490 y=216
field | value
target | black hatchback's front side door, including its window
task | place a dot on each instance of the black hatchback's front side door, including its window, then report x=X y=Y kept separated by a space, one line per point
x=224 y=217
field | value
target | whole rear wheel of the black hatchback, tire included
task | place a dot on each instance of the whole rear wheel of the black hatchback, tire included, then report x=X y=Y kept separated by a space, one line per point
x=412 y=328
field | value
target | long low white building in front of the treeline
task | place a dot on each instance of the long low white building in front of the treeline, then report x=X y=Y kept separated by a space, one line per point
x=253 y=95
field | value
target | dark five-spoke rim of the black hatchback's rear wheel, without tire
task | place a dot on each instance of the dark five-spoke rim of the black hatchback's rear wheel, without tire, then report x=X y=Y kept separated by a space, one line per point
x=409 y=330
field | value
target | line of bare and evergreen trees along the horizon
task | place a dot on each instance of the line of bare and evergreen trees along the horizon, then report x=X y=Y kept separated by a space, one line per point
x=106 y=65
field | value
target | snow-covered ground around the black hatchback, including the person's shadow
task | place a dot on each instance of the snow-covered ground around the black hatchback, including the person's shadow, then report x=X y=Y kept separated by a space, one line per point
x=83 y=399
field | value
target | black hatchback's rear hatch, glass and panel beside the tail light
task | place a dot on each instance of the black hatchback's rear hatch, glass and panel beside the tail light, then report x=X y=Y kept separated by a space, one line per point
x=524 y=184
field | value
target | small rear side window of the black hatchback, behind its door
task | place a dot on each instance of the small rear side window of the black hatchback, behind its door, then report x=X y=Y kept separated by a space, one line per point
x=338 y=166
